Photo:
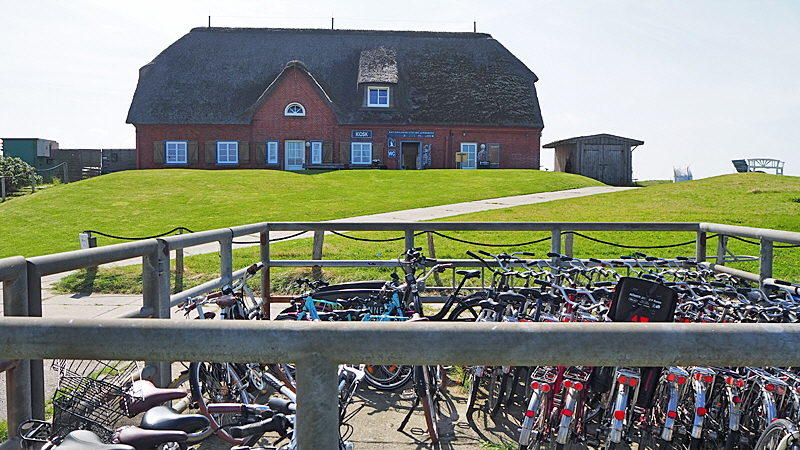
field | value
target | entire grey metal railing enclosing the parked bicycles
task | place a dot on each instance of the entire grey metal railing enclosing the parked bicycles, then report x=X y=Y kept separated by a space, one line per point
x=507 y=344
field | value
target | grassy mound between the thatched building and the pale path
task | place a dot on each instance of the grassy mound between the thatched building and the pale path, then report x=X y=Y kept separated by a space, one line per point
x=151 y=202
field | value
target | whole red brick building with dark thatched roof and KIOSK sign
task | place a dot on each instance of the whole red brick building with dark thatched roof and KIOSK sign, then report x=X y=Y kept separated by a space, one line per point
x=301 y=99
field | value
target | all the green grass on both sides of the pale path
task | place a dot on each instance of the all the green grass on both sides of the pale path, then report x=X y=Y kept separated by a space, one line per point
x=191 y=199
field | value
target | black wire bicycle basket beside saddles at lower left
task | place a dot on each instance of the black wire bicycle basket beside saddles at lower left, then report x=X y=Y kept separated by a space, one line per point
x=91 y=395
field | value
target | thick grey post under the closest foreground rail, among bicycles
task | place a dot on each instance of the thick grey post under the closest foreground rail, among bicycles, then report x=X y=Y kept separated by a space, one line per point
x=317 y=404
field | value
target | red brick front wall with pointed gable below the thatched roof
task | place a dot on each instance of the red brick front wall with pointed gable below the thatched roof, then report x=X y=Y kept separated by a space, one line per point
x=519 y=147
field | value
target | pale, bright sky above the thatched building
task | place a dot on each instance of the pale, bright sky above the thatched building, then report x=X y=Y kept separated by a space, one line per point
x=701 y=82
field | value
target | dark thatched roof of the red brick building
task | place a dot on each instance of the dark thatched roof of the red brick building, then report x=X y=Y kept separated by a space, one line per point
x=220 y=75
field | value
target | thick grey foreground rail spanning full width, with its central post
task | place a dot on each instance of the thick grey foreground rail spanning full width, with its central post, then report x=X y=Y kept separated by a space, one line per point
x=523 y=344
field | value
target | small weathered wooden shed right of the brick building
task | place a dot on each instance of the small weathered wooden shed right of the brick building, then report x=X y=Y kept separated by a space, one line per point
x=604 y=157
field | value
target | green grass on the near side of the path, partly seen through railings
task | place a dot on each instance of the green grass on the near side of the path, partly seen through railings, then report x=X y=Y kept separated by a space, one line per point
x=755 y=200
